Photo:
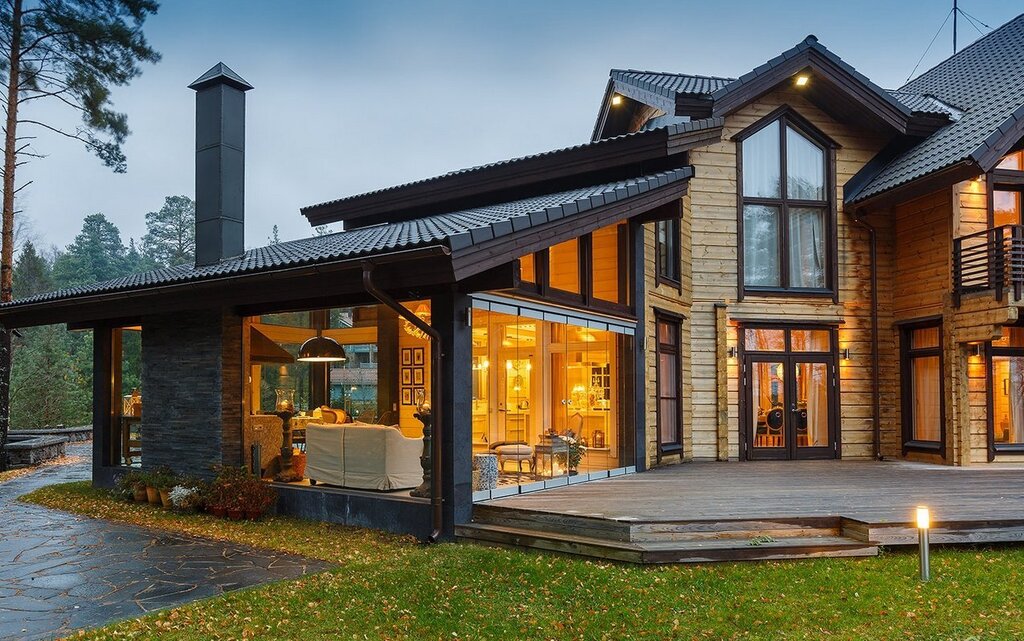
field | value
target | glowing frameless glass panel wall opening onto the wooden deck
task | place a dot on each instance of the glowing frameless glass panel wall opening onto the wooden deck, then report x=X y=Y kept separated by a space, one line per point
x=549 y=397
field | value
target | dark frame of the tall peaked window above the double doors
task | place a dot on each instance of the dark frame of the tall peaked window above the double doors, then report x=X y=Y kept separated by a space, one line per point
x=788 y=117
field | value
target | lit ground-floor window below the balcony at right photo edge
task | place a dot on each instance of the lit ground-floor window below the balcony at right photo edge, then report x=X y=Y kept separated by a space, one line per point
x=1006 y=392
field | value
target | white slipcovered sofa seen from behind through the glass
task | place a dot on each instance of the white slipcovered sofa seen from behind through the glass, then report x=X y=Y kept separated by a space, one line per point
x=364 y=457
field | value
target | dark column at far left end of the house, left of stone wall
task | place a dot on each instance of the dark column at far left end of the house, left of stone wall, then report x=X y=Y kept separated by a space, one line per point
x=106 y=392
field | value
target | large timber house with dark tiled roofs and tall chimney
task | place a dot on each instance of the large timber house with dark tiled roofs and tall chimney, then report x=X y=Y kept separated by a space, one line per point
x=795 y=264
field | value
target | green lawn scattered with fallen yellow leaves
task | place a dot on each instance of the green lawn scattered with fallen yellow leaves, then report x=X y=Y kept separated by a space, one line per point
x=394 y=588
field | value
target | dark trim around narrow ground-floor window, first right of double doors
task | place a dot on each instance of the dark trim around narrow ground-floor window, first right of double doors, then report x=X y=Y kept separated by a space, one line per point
x=907 y=355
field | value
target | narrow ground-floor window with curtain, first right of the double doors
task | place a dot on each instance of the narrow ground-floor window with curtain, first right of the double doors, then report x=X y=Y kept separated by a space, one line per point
x=922 y=386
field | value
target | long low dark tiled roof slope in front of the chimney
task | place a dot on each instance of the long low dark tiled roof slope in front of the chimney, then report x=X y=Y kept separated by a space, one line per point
x=454 y=231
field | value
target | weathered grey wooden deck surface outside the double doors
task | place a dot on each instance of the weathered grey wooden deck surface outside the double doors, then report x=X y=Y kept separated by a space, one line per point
x=869 y=492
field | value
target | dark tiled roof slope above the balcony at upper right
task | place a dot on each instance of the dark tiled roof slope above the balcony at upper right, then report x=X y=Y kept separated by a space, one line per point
x=987 y=81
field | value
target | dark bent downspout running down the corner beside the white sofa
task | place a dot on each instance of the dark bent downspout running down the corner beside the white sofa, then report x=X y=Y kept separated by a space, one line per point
x=438 y=515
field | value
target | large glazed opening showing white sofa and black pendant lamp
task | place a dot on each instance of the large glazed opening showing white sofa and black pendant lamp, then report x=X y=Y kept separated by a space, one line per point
x=357 y=421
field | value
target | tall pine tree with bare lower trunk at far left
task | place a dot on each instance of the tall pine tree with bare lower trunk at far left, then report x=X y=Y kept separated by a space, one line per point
x=68 y=54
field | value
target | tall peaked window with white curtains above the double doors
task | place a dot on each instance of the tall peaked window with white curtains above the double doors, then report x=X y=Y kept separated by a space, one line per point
x=786 y=207
